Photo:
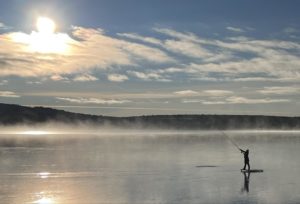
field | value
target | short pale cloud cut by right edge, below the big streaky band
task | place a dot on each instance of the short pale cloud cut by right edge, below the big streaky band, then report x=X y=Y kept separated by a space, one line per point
x=280 y=90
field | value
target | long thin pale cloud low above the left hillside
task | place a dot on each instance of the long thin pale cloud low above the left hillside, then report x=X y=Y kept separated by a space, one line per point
x=92 y=100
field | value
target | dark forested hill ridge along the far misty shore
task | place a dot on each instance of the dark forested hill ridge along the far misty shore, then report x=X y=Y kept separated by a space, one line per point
x=15 y=114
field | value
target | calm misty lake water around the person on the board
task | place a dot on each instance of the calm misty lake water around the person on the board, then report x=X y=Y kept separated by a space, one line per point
x=150 y=168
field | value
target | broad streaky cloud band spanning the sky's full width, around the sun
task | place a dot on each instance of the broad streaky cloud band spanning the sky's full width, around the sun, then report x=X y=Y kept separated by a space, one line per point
x=197 y=58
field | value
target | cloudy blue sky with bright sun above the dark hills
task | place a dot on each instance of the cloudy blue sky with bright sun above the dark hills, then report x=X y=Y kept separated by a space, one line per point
x=141 y=57
